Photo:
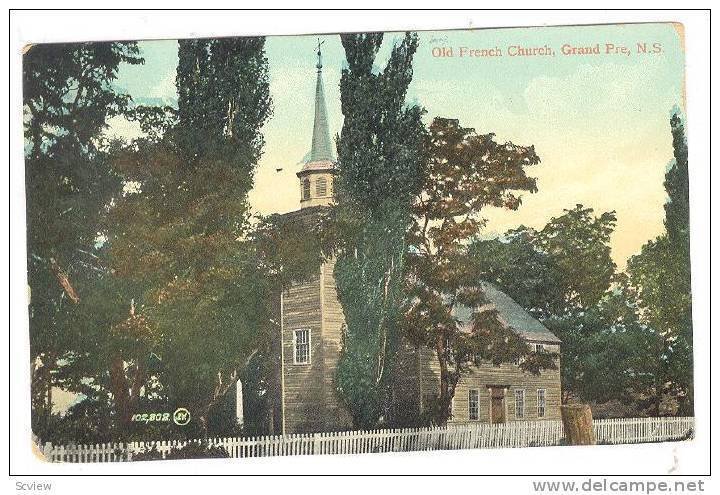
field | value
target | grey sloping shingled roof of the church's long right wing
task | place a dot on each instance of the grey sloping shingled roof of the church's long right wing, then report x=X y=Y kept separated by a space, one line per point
x=510 y=313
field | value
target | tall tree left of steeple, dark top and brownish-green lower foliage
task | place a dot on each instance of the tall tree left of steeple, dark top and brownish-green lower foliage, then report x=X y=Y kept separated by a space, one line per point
x=182 y=236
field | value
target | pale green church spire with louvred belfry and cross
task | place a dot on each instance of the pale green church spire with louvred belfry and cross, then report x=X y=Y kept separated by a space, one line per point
x=316 y=176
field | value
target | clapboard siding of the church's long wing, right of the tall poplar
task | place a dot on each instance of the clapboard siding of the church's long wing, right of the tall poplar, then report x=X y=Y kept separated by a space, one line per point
x=510 y=375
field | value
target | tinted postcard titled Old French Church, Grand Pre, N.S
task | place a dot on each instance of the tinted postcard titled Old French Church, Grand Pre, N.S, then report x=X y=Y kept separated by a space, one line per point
x=358 y=242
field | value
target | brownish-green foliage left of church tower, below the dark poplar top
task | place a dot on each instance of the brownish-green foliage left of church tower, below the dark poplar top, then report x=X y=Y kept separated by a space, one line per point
x=183 y=240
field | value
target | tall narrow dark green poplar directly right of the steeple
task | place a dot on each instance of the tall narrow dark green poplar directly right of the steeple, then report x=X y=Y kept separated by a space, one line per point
x=380 y=170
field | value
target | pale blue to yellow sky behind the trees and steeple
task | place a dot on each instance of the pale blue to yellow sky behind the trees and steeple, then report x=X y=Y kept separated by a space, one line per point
x=599 y=122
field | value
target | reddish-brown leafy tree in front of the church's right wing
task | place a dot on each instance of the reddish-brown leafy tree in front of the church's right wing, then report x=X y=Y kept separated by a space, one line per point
x=467 y=172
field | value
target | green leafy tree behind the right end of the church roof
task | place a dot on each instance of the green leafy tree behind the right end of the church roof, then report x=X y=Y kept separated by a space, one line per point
x=562 y=274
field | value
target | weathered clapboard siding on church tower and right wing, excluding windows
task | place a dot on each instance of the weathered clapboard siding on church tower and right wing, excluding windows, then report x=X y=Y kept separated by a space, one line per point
x=311 y=403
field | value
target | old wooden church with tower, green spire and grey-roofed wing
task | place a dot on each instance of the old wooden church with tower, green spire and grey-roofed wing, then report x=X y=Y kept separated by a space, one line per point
x=312 y=321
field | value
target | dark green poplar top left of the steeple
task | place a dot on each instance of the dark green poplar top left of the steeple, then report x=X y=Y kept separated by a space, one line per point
x=223 y=93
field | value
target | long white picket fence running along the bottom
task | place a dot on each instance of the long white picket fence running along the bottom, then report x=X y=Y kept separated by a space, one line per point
x=454 y=436
